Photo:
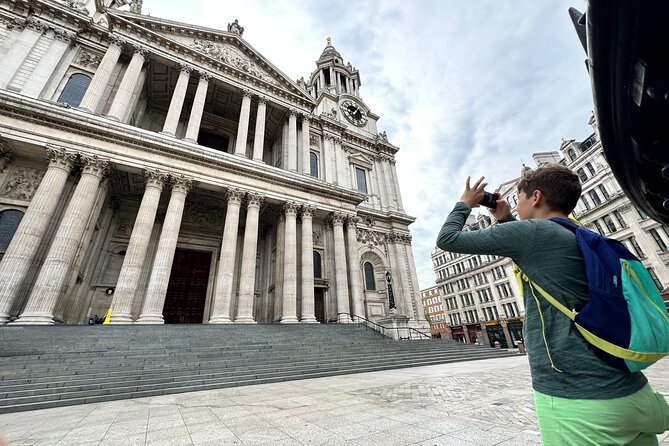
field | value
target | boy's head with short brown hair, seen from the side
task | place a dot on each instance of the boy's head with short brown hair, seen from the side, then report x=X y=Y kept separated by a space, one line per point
x=552 y=187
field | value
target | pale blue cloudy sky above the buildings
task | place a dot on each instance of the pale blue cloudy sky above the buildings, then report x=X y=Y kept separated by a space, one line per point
x=463 y=87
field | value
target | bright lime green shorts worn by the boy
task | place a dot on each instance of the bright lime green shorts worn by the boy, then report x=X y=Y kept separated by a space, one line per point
x=631 y=420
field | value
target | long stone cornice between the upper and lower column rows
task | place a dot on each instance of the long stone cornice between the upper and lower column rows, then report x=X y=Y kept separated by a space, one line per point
x=51 y=116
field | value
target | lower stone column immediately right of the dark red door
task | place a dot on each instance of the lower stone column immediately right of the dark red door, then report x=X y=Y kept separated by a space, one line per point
x=226 y=263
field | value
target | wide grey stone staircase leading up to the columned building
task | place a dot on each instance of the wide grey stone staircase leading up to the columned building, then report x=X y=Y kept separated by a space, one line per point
x=52 y=366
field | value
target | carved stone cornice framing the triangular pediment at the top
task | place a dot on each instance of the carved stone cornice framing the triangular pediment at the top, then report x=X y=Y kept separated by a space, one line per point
x=147 y=29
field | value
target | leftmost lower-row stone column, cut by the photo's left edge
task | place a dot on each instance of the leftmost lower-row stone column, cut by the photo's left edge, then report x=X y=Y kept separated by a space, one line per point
x=22 y=249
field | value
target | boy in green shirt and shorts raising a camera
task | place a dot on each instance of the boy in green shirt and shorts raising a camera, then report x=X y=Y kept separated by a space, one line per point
x=579 y=399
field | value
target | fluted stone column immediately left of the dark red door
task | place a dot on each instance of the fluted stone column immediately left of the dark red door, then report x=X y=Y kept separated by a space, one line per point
x=152 y=310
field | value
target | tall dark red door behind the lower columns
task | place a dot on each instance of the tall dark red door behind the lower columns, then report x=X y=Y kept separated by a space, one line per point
x=187 y=290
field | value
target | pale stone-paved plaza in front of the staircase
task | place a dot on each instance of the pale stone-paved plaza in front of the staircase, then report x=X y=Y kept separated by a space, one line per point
x=487 y=402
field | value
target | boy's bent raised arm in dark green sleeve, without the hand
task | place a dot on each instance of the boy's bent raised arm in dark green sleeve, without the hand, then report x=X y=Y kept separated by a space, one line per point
x=510 y=239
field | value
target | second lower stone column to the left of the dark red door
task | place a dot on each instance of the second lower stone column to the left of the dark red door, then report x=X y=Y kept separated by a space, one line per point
x=131 y=271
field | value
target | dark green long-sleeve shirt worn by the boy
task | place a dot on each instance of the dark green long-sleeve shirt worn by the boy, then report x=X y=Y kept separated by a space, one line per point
x=549 y=255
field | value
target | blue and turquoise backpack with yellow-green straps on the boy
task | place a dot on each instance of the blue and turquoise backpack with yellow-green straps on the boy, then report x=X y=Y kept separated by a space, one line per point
x=624 y=319
